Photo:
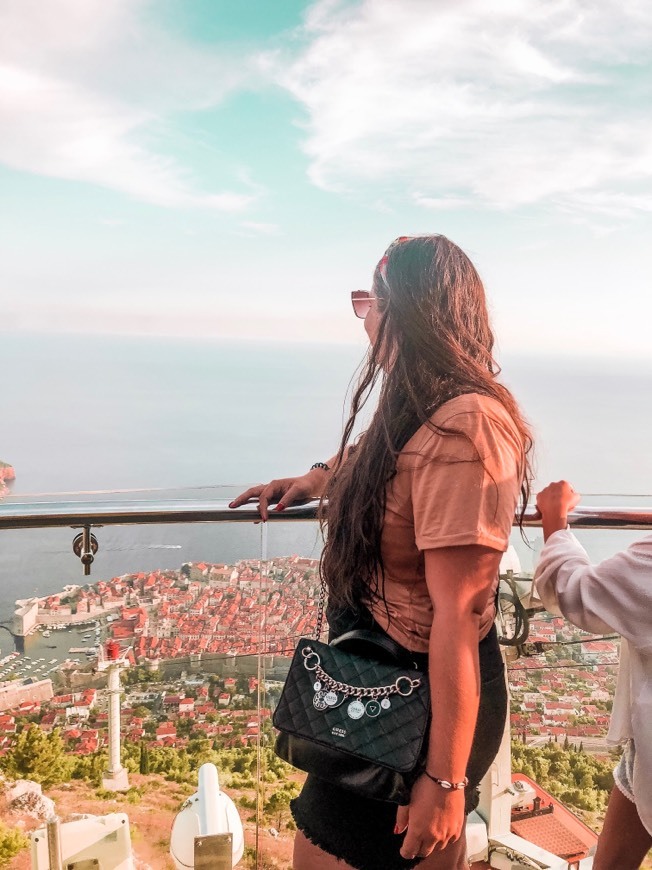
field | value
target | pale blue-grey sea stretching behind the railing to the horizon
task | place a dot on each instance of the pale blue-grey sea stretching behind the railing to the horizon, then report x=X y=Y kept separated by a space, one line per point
x=156 y=417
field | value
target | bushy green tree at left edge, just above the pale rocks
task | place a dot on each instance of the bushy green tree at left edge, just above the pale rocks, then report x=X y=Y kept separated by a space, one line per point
x=39 y=756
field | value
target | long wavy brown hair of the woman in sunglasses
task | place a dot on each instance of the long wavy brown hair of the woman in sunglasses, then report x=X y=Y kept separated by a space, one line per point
x=434 y=343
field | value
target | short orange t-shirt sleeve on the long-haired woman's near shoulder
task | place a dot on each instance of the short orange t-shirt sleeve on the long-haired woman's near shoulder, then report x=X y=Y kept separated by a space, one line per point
x=465 y=486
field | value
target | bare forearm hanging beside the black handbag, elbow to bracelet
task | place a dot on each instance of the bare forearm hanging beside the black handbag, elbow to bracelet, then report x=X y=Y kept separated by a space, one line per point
x=455 y=691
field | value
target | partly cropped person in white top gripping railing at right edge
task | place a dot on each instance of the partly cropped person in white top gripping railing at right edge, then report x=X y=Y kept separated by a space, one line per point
x=614 y=596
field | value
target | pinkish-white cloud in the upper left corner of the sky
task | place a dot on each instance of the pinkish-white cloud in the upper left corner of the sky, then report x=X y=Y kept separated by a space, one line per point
x=83 y=86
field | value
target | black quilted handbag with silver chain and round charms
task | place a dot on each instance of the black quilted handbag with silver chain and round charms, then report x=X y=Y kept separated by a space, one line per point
x=355 y=712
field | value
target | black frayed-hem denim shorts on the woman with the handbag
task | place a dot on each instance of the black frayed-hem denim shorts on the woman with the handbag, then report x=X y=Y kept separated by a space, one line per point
x=360 y=831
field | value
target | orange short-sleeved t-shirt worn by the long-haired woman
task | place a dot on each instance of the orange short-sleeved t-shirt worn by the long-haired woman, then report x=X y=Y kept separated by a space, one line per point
x=449 y=490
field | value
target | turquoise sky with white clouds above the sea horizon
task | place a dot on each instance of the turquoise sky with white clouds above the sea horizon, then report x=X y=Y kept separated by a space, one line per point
x=204 y=168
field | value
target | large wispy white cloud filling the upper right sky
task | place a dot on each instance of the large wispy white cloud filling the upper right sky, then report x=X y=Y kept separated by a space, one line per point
x=502 y=104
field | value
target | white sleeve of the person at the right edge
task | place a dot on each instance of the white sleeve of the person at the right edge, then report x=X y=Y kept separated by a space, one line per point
x=614 y=596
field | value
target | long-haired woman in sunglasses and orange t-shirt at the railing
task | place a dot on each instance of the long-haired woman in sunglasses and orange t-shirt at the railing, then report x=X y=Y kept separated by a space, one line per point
x=419 y=512
